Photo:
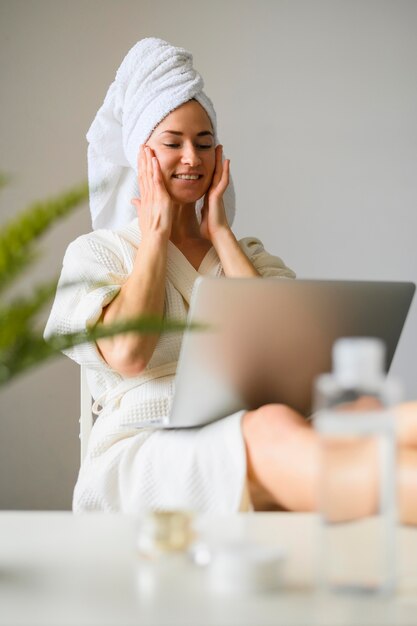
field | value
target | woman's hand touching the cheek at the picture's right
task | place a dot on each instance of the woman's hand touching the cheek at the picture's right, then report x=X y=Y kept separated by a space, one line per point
x=213 y=215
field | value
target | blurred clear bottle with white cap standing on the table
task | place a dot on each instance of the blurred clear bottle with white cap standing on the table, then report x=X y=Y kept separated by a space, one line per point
x=354 y=416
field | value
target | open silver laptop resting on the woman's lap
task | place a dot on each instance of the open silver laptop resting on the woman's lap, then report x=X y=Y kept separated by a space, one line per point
x=266 y=340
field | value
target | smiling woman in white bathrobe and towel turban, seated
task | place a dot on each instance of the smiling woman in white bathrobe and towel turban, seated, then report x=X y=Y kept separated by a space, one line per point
x=164 y=126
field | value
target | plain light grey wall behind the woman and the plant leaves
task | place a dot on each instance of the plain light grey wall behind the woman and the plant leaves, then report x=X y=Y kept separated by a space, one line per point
x=317 y=105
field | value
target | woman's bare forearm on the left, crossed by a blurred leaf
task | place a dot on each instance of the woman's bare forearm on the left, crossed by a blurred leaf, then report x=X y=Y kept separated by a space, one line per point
x=142 y=294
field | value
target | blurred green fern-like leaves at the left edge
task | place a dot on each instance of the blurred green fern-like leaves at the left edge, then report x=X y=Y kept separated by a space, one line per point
x=21 y=340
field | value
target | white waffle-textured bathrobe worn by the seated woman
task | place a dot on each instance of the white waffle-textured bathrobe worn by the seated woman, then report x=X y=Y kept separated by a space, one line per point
x=127 y=468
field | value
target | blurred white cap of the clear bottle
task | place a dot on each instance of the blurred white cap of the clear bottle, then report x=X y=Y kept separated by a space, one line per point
x=358 y=360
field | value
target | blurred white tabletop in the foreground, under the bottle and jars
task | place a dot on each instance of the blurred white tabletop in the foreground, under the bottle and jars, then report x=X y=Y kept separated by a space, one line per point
x=59 y=569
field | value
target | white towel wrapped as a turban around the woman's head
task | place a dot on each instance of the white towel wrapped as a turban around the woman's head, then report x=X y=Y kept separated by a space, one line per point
x=153 y=79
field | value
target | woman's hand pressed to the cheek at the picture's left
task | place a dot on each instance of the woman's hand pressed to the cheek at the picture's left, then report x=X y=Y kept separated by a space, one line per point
x=155 y=206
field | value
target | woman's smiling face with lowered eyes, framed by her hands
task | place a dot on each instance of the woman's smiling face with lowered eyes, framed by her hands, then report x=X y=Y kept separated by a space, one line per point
x=184 y=146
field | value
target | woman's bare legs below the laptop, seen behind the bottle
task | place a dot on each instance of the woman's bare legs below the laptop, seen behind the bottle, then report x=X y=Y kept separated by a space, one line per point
x=283 y=463
